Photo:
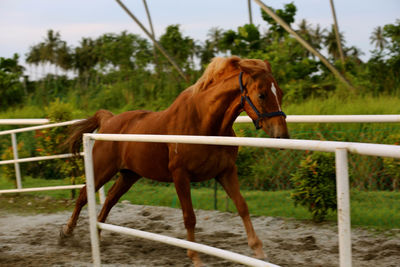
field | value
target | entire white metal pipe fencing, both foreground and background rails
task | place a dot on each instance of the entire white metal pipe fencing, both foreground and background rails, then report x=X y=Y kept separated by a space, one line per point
x=340 y=149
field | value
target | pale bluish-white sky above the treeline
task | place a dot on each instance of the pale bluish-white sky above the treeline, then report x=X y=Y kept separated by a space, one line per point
x=24 y=23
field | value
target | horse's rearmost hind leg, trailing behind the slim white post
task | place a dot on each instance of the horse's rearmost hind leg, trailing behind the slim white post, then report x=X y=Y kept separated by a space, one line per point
x=102 y=176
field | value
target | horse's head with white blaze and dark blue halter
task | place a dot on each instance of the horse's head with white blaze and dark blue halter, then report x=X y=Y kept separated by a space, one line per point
x=261 y=97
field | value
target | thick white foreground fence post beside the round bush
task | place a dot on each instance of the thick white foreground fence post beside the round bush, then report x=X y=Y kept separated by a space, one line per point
x=343 y=202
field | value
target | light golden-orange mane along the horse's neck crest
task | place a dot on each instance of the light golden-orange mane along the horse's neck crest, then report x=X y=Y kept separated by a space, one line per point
x=219 y=67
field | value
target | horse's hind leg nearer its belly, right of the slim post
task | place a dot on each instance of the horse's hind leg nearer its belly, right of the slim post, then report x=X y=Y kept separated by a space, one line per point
x=120 y=187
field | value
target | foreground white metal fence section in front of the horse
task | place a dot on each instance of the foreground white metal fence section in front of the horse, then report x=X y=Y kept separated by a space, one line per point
x=342 y=179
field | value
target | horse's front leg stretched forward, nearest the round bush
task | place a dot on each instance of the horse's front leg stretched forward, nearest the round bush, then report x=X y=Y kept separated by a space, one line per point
x=230 y=183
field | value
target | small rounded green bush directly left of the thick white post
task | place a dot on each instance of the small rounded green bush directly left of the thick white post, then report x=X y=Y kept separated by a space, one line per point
x=314 y=184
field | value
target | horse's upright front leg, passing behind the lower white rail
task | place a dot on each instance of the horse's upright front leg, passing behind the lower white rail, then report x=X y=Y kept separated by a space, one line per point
x=182 y=186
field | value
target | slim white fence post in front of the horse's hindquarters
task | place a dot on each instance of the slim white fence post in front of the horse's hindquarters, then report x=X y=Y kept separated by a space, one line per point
x=90 y=189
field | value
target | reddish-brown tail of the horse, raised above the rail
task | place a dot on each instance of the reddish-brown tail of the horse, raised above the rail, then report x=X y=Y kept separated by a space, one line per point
x=74 y=141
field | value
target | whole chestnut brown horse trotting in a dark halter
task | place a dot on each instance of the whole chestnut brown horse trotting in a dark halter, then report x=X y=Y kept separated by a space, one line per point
x=209 y=107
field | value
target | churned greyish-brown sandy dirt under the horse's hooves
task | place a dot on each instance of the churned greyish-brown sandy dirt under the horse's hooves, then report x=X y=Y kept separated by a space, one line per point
x=32 y=240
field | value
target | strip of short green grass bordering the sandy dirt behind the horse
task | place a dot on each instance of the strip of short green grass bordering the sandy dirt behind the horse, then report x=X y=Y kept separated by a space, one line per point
x=377 y=210
